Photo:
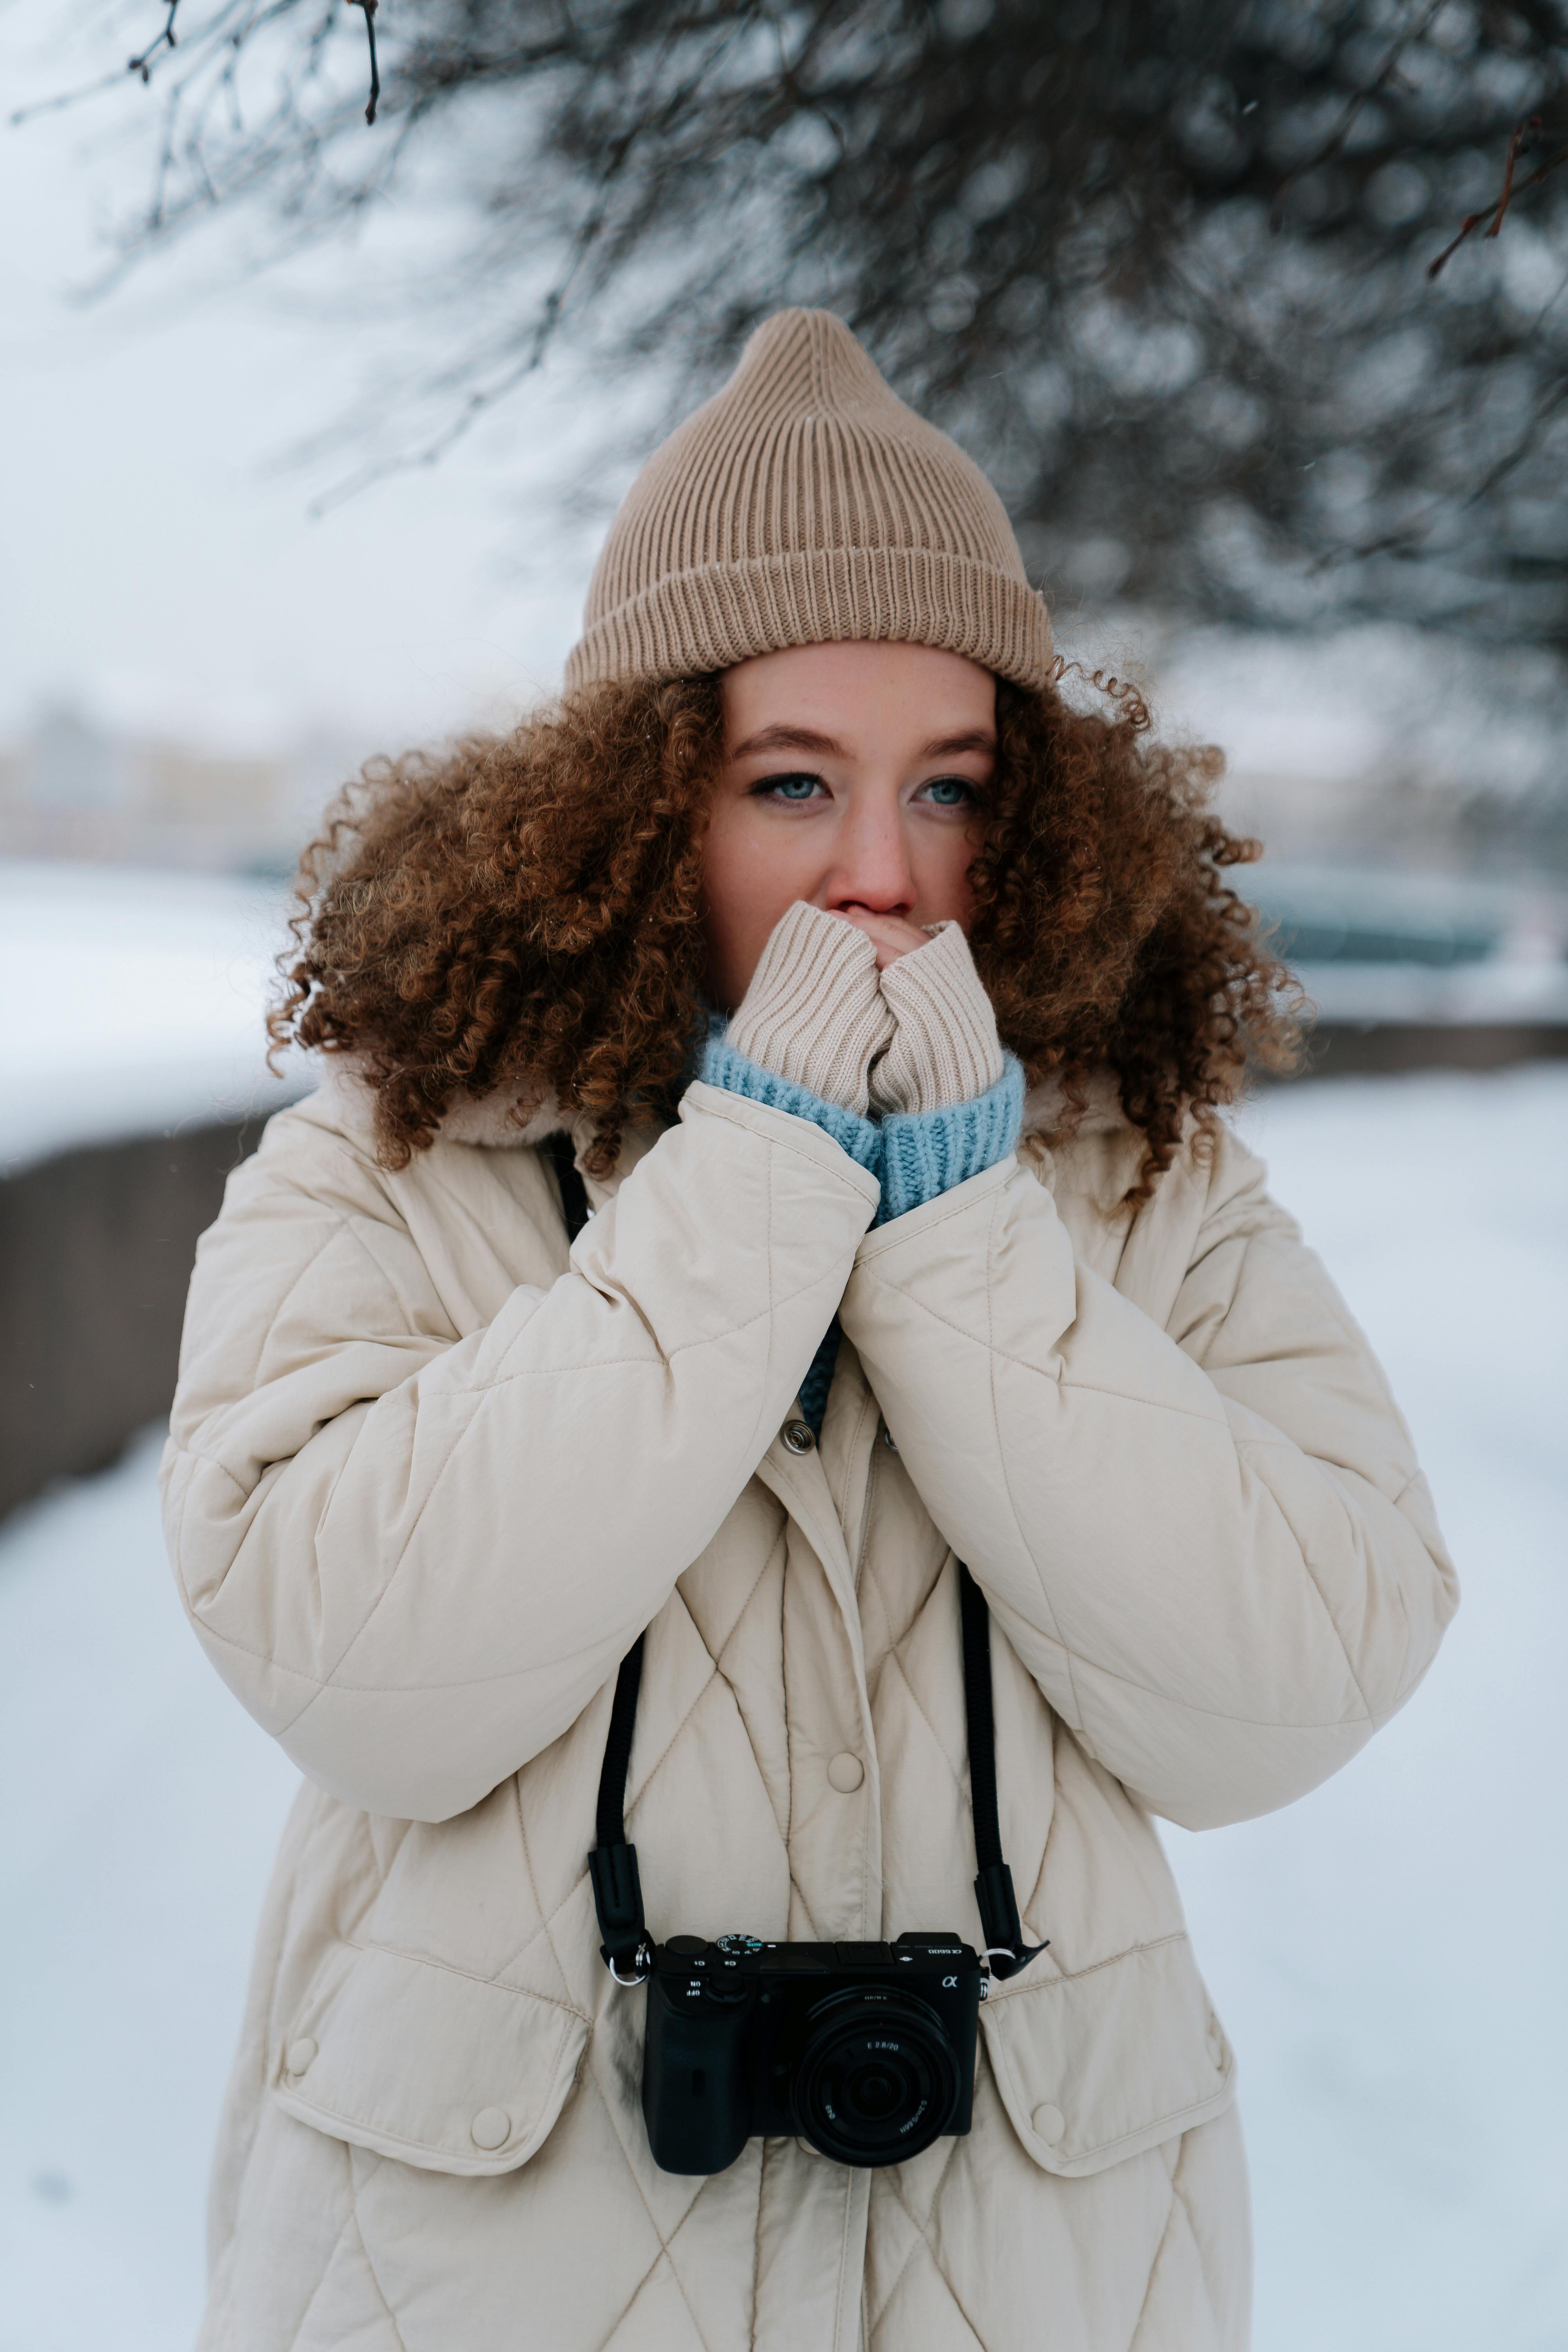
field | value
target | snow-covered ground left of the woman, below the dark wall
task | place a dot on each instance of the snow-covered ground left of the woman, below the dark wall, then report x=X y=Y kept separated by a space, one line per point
x=138 y=1815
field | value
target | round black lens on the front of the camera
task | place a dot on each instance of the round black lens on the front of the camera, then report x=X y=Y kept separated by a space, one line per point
x=878 y=2078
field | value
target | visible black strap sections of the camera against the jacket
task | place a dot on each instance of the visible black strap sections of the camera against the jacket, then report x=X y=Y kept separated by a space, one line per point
x=612 y=1866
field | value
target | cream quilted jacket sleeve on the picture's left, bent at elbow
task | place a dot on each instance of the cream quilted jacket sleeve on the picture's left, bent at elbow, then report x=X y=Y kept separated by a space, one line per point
x=415 y=1561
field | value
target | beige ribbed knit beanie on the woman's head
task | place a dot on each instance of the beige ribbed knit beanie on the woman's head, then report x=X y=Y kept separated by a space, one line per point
x=805 y=505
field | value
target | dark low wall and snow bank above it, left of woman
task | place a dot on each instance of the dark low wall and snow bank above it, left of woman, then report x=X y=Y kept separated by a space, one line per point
x=133 y=1078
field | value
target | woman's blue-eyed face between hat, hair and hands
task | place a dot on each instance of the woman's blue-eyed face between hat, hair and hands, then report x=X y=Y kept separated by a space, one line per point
x=855 y=780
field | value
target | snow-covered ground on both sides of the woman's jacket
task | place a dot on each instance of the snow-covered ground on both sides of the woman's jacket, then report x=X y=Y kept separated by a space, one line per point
x=1388 y=1956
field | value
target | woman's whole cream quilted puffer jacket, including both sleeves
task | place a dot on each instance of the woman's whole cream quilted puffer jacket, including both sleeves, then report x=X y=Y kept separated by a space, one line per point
x=431 y=1474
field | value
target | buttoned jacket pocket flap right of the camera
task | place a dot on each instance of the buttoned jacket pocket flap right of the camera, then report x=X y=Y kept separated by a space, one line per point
x=1101 y=2066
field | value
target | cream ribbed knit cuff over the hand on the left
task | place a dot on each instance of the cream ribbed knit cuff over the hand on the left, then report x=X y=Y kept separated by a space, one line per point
x=815 y=1013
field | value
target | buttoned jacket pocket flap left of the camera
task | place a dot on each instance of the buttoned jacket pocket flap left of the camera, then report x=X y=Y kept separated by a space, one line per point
x=455 y=2073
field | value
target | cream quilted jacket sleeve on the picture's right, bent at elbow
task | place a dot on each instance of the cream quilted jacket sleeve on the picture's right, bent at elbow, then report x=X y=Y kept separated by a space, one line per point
x=1207 y=1537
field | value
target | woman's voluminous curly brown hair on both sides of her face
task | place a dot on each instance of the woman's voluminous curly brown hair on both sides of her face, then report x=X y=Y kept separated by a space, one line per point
x=525 y=914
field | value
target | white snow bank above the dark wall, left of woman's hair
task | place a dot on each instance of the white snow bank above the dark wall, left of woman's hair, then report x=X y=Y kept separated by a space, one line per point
x=133 y=1003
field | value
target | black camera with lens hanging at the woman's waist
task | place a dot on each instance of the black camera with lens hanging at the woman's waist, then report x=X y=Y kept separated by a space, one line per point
x=866 y=2050
